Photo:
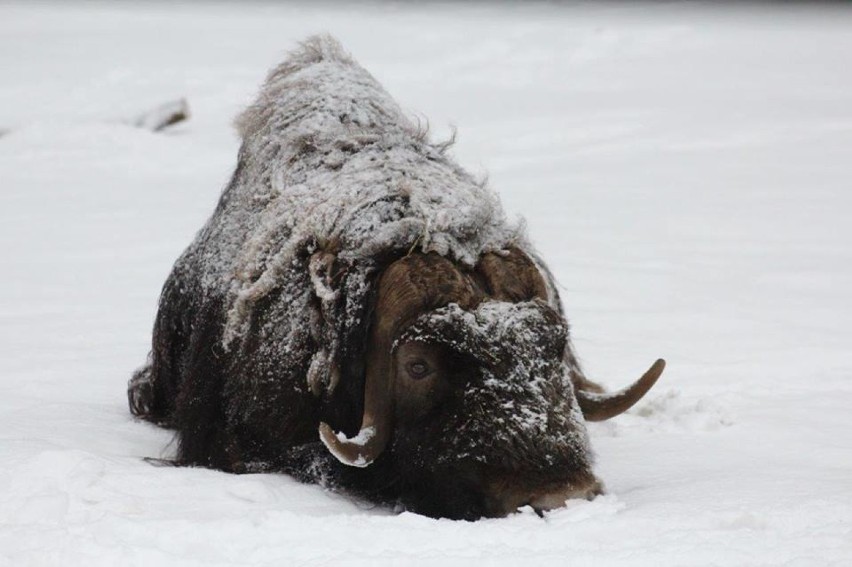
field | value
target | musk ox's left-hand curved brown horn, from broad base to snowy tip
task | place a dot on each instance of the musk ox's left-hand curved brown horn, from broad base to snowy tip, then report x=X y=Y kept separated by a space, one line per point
x=408 y=288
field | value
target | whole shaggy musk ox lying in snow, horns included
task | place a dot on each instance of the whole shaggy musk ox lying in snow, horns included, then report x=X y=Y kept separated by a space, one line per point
x=359 y=313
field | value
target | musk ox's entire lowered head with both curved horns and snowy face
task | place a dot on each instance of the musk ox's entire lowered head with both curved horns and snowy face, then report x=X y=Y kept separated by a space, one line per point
x=470 y=387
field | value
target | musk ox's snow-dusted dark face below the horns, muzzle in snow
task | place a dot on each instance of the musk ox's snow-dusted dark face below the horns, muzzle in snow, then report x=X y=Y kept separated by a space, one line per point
x=485 y=406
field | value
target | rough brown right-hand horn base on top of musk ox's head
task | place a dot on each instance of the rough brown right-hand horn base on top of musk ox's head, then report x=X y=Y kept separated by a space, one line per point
x=510 y=275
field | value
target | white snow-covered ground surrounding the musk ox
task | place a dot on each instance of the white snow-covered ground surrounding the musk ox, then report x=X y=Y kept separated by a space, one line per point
x=686 y=171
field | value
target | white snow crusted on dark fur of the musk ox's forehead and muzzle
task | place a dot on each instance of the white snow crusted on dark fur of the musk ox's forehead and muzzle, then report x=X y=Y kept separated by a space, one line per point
x=524 y=397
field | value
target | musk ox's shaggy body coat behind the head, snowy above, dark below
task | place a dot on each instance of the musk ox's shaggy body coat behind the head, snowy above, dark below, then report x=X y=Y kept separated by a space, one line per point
x=256 y=340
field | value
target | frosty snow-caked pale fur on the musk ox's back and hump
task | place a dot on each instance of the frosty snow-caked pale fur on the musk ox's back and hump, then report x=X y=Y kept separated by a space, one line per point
x=330 y=162
